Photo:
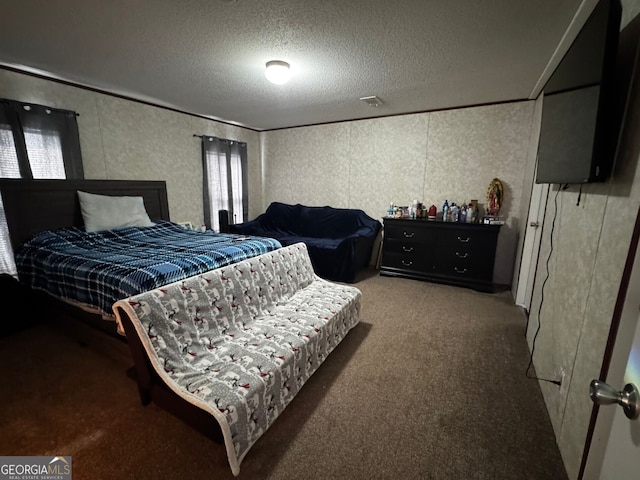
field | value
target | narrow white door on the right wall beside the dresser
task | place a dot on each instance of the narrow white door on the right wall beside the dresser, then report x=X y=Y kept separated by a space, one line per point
x=531 y=247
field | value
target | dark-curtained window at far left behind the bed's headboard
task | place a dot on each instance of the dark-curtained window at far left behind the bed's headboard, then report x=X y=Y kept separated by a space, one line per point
x=35 y=142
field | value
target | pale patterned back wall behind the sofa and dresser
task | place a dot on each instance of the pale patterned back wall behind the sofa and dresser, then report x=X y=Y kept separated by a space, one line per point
x=431 y=157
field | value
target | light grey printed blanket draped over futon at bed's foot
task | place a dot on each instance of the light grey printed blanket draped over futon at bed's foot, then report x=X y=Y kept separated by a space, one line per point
x=240 y=341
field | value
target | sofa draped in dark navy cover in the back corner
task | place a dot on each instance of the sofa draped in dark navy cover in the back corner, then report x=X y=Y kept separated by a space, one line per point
x=339 y=240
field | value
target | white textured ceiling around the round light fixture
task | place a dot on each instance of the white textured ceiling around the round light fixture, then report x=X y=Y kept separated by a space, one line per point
x=207 y=57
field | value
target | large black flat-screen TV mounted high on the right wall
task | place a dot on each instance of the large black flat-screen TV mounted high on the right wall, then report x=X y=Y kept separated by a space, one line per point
x=578 y=132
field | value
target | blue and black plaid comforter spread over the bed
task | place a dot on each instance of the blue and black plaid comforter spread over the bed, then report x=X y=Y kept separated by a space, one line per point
x=97 y=269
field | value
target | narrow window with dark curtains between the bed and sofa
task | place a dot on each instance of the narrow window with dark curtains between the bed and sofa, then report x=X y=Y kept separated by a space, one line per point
x=225 y=180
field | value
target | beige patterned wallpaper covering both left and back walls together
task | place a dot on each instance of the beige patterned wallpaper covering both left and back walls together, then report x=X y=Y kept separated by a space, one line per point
x=364 y=164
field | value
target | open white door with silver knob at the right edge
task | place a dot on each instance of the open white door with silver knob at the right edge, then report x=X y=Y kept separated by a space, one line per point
x=614 y=450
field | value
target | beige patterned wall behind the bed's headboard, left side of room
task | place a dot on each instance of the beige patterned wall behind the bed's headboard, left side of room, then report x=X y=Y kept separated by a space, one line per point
x=126 y=140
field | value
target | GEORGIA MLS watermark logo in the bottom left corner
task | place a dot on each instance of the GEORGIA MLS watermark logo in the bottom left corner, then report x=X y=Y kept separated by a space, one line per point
x=35 y=468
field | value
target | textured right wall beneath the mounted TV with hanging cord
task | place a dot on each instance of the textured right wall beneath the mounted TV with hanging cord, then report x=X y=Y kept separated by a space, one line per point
x=590 y=246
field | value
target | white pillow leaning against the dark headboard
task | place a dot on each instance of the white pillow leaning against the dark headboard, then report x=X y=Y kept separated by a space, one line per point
x=104 y=212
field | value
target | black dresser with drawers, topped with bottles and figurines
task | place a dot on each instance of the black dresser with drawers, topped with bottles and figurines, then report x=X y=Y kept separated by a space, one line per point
x=459 y=254
